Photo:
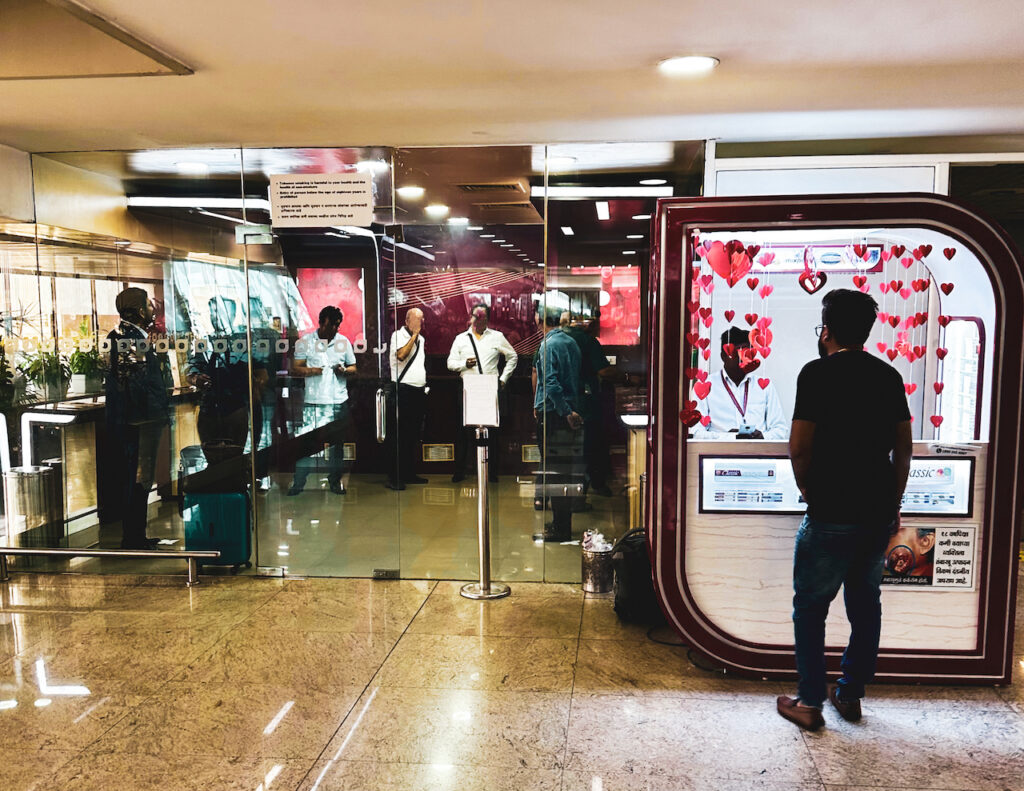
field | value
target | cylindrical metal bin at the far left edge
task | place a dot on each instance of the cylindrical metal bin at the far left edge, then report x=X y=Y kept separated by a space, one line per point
x=34 y=499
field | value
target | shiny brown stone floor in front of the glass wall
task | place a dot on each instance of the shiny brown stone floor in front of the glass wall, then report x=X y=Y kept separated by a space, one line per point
x=269 y=685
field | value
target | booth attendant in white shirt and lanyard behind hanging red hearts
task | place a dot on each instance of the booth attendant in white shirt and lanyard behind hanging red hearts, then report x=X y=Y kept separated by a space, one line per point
x=742 y=404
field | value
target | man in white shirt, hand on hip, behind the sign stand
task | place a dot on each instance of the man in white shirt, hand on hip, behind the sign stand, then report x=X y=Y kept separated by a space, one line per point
x=474 y=353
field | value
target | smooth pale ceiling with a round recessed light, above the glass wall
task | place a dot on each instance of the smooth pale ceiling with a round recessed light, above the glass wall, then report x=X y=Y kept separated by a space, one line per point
x=409 y=73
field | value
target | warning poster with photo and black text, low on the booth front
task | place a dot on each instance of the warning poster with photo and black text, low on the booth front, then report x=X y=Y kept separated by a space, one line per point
x=932 y=558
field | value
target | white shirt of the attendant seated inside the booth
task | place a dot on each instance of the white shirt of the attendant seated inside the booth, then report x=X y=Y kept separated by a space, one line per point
x=764 y=411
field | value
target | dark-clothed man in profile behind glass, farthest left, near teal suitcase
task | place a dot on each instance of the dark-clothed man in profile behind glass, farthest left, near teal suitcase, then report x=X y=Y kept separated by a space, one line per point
x=138 y=410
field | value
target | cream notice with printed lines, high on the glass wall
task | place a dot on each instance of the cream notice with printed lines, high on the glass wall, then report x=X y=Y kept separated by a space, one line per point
x=321 y=200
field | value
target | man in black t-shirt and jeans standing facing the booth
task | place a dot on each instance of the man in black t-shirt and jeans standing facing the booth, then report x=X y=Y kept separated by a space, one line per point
x=850 y=446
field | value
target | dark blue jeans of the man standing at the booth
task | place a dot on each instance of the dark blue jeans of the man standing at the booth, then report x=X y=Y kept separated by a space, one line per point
x=827 y=557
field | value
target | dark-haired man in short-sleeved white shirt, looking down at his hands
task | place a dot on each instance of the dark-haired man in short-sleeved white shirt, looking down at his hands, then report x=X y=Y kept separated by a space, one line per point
x=325 y=359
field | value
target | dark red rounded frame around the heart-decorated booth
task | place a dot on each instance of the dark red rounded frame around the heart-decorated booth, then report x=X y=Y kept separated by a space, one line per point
x=677 y=219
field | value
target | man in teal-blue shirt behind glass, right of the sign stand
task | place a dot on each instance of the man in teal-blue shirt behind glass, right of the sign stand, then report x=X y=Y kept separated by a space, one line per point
x=557 y=405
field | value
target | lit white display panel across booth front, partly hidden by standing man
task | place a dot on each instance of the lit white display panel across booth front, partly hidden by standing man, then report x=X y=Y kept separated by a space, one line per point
x=765 y=485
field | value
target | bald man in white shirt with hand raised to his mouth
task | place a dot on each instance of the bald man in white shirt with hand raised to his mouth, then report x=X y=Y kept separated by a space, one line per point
x=407 y=355
